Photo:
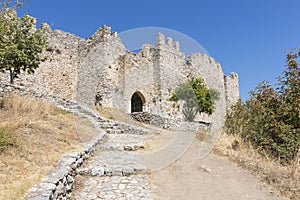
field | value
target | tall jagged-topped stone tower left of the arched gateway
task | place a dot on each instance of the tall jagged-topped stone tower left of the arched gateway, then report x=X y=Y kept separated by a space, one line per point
x=98 y=53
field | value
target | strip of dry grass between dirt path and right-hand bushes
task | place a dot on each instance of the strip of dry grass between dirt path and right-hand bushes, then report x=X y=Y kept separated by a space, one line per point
x=285 y=179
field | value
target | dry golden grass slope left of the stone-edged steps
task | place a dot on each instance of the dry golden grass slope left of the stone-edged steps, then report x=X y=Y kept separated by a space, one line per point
x=40 y=134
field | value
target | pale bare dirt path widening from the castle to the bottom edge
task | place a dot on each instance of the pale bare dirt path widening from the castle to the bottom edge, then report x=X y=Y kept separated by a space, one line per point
x=189 y=177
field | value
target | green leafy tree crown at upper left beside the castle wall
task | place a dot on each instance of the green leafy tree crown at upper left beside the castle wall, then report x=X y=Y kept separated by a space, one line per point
x=21 y=44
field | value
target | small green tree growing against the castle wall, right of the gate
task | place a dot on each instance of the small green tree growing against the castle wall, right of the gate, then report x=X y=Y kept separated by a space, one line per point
x=197 y=98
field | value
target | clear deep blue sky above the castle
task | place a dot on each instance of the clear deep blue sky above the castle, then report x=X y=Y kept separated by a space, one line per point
x=245 y=36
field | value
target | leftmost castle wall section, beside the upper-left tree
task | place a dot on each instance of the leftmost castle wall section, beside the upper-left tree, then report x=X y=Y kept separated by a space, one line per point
x=56 y=75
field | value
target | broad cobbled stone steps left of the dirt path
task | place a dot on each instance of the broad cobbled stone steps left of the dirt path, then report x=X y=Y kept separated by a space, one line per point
x=115 y=171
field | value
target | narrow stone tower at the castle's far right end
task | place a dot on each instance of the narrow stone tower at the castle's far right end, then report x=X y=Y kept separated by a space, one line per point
x=232 y=89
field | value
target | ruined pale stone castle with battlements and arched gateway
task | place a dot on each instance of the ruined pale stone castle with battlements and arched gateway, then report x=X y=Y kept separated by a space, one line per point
x=100 y=71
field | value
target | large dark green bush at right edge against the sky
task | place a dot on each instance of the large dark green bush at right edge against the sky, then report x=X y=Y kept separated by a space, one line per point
x=270 y=119
